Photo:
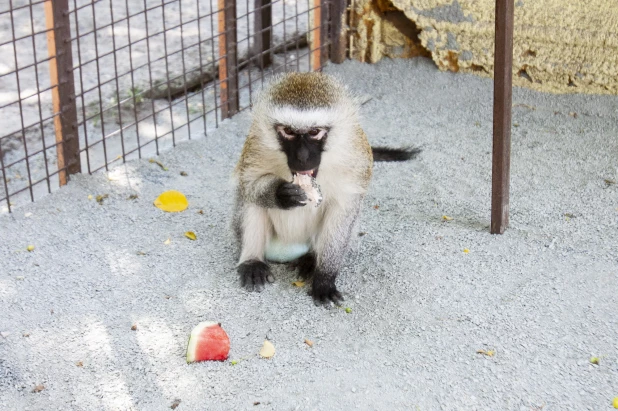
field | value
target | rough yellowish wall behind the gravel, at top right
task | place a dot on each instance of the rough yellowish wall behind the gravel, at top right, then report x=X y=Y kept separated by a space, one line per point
x=559 y=45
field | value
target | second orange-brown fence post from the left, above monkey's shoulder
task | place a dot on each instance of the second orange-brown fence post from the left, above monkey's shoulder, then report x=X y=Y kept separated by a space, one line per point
x=228 y=67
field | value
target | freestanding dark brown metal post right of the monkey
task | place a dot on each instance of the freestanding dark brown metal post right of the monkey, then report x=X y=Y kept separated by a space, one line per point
x=503 y=70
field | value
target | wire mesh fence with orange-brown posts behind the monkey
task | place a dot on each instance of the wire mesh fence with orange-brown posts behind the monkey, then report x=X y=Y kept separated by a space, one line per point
x=88 y=83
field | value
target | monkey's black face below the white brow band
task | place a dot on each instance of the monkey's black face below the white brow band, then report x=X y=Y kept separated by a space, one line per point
x=303 y=147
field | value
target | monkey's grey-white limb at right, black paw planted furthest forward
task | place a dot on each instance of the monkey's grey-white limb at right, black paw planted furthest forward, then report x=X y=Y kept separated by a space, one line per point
x=330 y=247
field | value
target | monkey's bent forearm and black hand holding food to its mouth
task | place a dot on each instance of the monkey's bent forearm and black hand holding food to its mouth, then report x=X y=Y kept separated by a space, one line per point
x=271 y=191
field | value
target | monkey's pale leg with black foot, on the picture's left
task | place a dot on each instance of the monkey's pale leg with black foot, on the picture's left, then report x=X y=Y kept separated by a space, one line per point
x=254 y=234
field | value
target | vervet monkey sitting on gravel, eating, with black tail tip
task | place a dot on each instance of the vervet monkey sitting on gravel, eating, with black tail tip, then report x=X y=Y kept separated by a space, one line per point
x=305 y=125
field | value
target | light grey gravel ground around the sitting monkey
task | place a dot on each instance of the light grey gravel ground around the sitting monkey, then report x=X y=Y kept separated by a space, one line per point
x=542 y=296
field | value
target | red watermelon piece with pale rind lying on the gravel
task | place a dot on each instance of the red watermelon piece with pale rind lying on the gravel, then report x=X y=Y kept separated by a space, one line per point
x=208 y=342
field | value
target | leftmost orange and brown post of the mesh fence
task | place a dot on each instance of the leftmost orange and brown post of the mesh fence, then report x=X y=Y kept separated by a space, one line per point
x=63 y=94
